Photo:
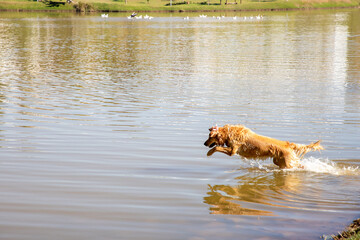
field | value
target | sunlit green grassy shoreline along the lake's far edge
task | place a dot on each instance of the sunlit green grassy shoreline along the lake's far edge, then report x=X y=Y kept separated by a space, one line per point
x=93 y=7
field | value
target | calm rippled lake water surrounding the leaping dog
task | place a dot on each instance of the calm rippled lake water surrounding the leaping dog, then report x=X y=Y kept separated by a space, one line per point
x=102 y=125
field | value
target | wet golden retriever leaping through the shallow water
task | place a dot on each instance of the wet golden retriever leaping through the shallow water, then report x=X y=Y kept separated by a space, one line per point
x=237 y=139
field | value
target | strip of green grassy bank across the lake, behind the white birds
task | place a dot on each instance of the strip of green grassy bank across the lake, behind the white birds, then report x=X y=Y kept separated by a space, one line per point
x=173 y=5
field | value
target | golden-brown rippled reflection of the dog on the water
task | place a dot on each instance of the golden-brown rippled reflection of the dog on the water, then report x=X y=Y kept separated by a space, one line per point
x=256 y=193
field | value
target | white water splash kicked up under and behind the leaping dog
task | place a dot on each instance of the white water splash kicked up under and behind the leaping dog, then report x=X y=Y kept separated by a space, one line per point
x=311 y=164
